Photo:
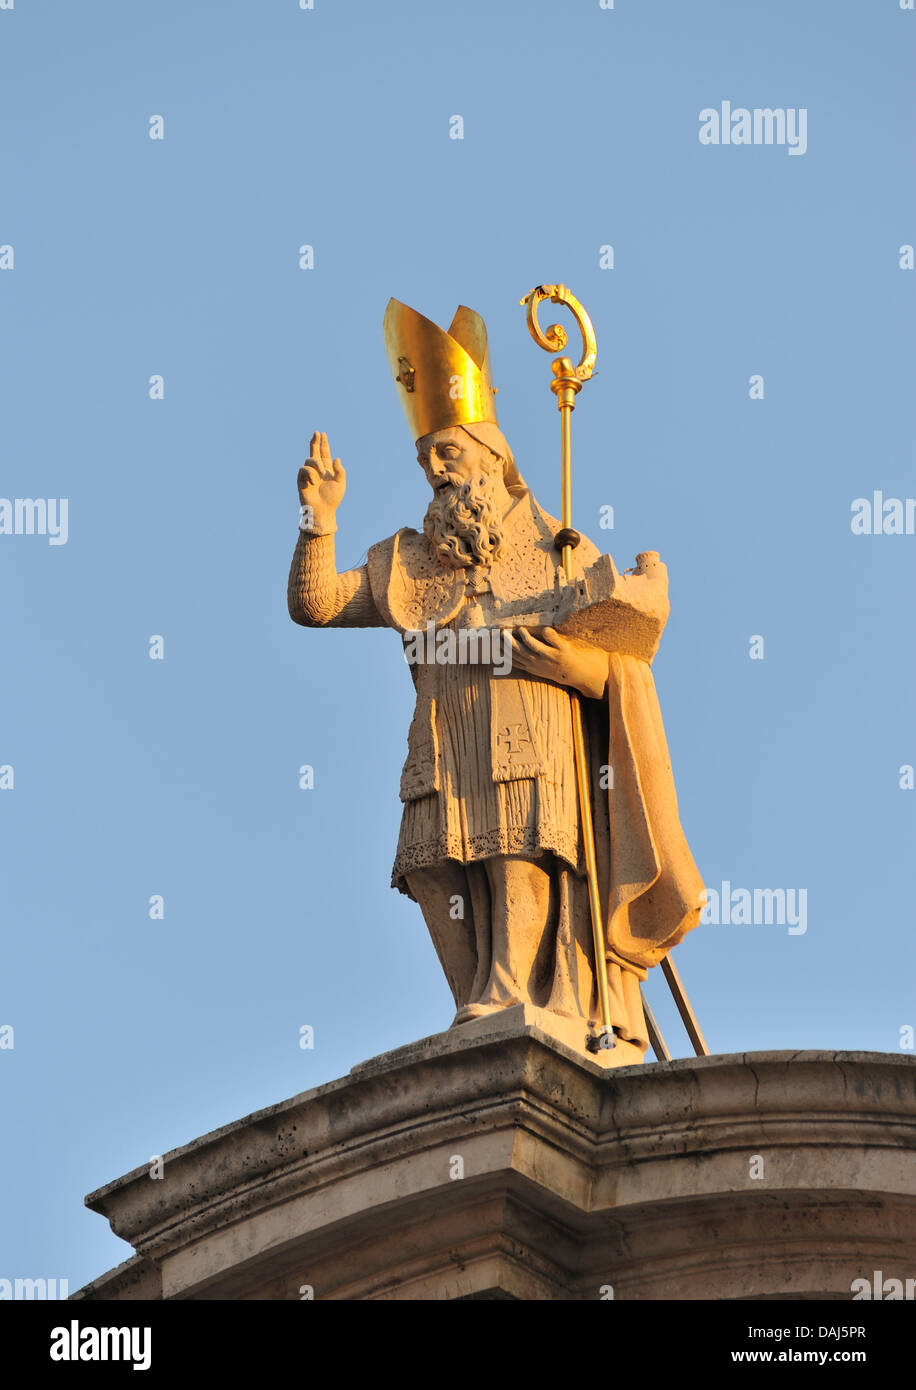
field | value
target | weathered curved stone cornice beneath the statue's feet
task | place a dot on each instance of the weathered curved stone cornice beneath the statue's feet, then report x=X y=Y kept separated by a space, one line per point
x=496 y=1163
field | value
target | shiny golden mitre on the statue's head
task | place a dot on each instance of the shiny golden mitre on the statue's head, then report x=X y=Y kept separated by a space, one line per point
x=443 y=379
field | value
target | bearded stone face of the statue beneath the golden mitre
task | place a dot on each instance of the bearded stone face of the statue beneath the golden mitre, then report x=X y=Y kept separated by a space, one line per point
x=464 y=522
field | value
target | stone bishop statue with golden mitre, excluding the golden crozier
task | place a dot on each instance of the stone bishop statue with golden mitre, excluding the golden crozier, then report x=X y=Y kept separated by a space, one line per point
x=491 y=846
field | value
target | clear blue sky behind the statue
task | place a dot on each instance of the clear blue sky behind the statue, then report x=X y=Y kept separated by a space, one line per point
x=180 y=258
